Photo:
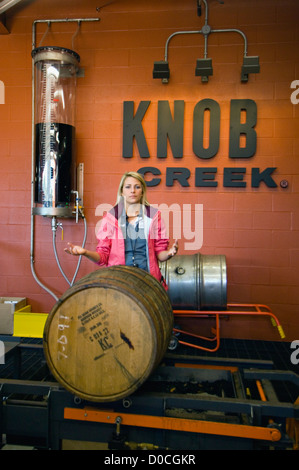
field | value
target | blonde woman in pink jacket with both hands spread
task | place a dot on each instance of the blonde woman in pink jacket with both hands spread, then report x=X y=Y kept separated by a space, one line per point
x=132 y=233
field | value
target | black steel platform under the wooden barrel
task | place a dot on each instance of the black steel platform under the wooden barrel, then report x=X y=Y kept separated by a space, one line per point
x=33 y=404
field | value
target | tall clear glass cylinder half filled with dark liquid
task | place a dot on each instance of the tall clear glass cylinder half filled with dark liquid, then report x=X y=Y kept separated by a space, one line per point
x=55 y=163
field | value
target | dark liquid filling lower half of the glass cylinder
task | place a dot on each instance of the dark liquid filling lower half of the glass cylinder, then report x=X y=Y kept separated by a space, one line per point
x=55 y=163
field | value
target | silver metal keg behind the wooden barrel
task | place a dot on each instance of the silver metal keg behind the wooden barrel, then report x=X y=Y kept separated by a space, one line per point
x=196 y=282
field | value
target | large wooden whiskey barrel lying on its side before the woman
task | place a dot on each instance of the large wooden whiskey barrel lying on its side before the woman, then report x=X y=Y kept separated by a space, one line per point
x=108 y=332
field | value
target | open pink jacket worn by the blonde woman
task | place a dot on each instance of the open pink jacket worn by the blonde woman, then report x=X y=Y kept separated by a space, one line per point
x=111 y=243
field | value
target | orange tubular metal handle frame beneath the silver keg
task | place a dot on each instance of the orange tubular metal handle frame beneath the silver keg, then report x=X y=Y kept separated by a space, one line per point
x=232 y=309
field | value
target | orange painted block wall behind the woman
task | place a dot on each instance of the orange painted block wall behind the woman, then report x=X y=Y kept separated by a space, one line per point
x=256 y=228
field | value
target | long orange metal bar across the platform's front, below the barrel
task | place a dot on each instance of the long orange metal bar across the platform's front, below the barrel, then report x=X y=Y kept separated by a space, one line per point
x=173 y=424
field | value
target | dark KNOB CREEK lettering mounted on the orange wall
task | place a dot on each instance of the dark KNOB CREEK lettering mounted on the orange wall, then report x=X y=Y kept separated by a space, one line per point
x=170 y=128
